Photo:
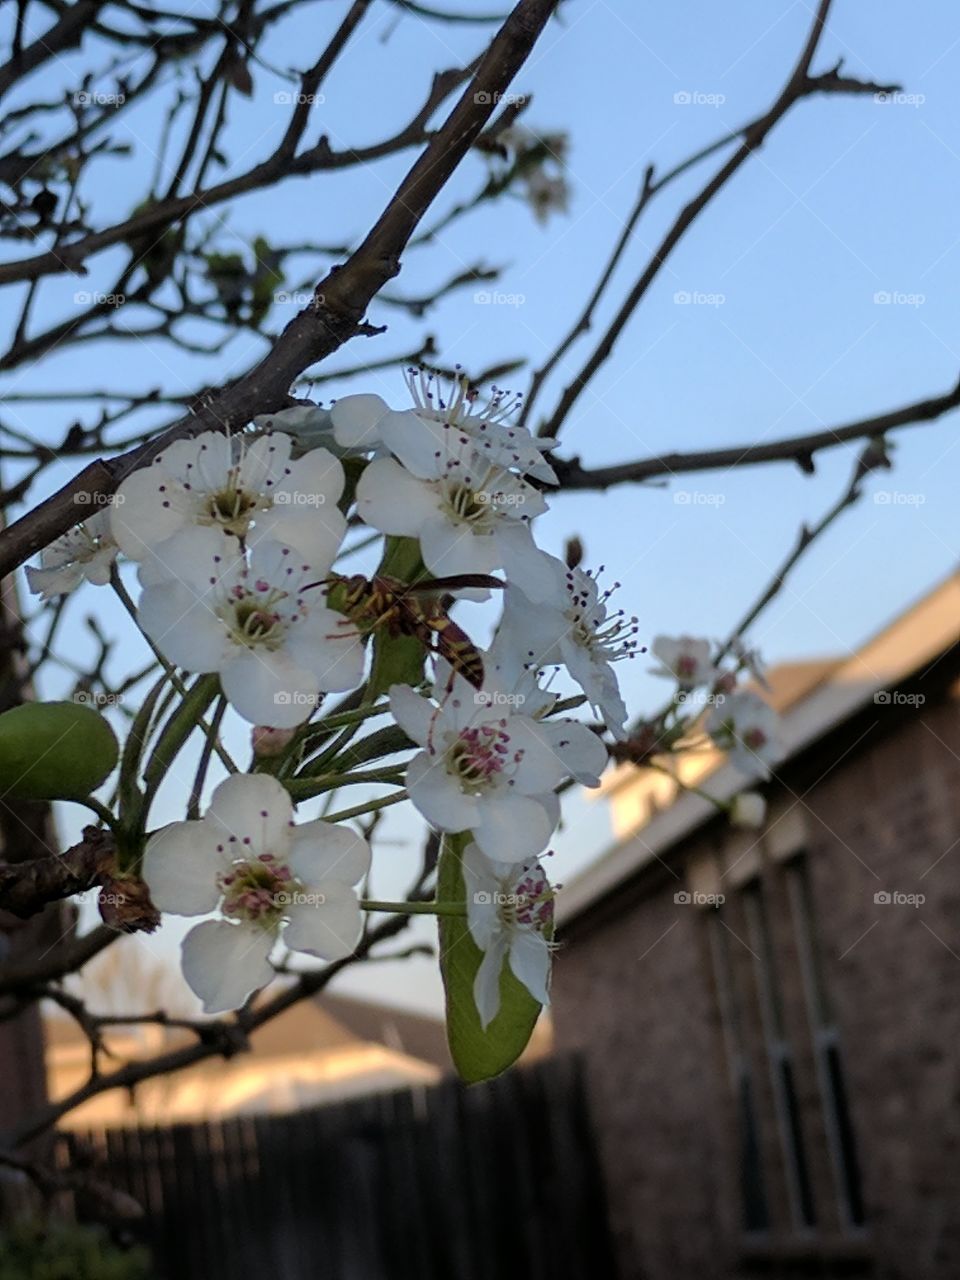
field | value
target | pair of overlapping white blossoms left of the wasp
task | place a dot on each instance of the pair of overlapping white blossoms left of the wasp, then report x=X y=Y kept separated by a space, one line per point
x=235 y=542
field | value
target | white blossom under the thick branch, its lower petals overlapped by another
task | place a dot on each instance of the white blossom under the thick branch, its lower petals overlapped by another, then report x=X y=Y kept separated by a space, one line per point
x=248 y=487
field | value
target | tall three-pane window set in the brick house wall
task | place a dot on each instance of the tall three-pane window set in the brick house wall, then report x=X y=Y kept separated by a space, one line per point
x=764 y=947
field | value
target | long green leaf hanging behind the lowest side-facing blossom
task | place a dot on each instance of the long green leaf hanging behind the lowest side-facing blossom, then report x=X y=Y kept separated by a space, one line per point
x=477 y=1054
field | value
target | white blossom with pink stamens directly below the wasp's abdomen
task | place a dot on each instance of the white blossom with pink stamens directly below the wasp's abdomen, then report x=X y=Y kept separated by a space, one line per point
x=486 y=769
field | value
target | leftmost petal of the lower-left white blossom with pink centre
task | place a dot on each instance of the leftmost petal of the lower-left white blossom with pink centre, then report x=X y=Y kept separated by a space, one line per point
x=181 y=866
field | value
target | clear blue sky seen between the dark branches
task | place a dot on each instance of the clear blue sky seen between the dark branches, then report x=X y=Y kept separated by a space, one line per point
x=848 y=200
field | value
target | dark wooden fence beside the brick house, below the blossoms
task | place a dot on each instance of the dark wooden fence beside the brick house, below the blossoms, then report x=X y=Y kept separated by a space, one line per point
x=440 y=1183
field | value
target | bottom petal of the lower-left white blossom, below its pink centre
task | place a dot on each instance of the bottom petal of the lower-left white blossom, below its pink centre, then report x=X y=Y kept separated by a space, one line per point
x=226 y=963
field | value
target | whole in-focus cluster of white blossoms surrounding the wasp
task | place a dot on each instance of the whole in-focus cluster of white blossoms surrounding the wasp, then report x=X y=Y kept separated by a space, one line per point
x=236 y=541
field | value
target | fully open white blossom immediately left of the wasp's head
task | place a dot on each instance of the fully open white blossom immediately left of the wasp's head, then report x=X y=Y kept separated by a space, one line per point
x=263 y=625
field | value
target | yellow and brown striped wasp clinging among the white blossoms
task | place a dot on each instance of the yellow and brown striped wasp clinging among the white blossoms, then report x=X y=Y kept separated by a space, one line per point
x=414 y=610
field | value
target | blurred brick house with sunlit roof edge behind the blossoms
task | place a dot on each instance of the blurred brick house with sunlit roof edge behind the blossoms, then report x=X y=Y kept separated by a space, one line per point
x=770 y=1020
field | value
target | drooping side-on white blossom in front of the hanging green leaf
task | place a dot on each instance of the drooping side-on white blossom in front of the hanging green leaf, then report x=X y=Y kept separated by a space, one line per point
x=510 y=916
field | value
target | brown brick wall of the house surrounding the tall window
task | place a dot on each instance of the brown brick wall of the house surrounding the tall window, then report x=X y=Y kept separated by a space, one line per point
x=637 y=991
